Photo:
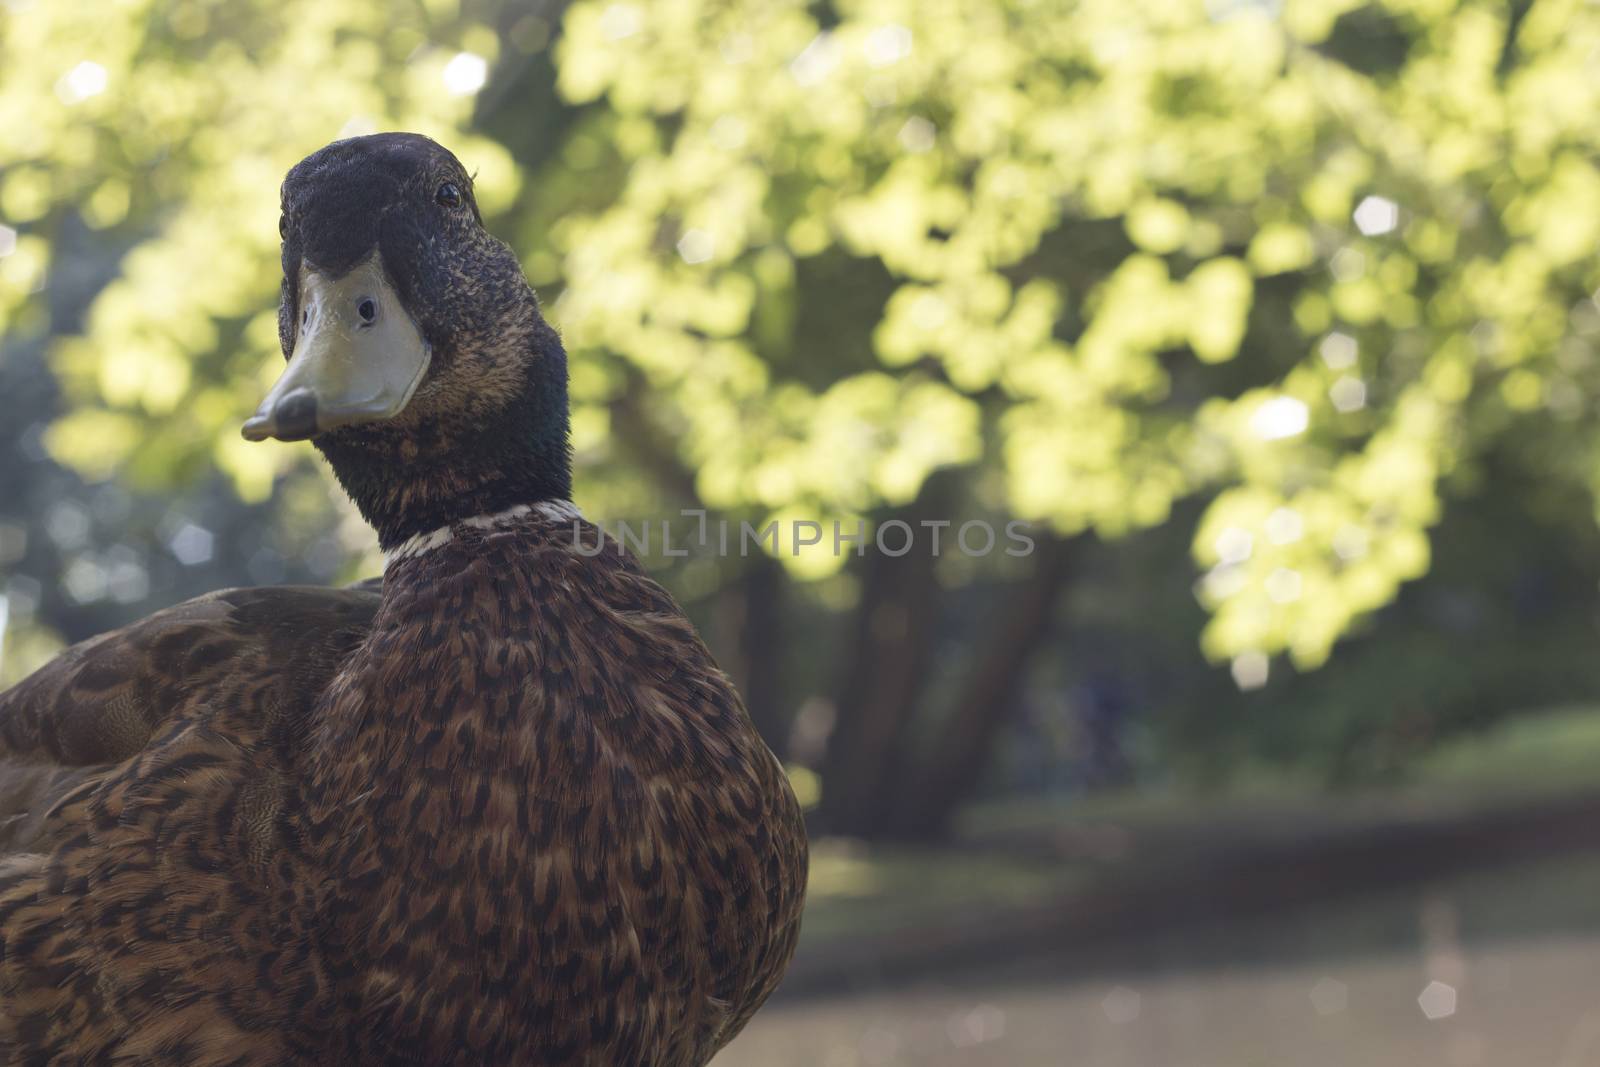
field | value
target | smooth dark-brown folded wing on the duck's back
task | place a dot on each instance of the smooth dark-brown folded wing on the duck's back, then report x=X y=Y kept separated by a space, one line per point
x=252 y=658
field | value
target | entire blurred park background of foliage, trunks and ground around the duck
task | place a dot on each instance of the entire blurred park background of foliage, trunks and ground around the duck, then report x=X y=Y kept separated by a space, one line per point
x=1274 y=318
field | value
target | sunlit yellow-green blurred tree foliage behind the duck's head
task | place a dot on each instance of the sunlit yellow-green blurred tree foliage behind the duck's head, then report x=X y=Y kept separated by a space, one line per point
x=1308 y=260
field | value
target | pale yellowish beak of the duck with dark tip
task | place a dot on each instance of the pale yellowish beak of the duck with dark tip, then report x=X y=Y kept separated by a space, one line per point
x=358 y=359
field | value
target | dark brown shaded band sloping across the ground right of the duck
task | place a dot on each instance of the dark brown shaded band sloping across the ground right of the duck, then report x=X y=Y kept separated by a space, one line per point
x=1210 y=882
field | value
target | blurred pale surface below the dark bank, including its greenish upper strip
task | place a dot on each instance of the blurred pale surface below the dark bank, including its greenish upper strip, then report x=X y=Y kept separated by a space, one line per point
x=1510 y=975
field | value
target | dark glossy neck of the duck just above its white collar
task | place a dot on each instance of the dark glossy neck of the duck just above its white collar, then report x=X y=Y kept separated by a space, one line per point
x=412 y=484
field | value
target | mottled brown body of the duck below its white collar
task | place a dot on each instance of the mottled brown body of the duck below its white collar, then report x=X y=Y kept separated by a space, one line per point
x=508 y=812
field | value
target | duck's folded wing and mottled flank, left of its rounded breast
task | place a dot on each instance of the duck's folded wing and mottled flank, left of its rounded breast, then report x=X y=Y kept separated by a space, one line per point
x=145 y=783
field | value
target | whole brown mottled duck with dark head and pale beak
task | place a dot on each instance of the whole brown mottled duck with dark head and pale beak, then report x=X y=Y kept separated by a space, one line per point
x=498 y=807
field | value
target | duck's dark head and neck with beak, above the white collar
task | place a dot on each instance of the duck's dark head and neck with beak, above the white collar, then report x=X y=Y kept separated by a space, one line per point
x=418 y=361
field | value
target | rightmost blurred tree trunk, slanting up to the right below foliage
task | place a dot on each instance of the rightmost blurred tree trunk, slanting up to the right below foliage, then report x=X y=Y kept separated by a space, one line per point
x=986 y=701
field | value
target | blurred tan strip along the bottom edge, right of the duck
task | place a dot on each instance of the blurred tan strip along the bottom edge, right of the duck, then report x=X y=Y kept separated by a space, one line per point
x=1519 y=1004
